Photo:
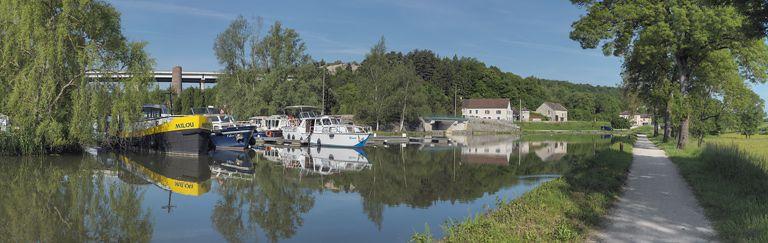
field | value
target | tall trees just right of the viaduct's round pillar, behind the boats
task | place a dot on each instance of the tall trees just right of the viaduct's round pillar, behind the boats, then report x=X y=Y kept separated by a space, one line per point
x=264 y=73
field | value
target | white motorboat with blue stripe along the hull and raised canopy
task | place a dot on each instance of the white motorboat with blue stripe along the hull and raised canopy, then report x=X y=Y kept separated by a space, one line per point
x=307 y=126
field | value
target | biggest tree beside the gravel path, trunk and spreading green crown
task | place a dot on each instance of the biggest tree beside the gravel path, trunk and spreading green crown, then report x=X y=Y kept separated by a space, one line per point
x=686 y=32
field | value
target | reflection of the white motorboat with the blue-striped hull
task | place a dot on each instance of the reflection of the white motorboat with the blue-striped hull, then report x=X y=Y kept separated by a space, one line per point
x=318 y=160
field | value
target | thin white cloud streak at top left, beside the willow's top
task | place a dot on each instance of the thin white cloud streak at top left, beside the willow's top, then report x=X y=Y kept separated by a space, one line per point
x=175 y=9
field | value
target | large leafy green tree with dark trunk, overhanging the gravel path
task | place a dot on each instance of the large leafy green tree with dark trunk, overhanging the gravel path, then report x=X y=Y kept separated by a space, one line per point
x=677 y=53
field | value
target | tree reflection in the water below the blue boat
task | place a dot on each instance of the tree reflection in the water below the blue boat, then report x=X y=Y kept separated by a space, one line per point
x=274 y=201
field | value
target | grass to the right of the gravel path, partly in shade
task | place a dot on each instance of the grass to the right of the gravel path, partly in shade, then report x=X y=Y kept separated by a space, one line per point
x=729 y=175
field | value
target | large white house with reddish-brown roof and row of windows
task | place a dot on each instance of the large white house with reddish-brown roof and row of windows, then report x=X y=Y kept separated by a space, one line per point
x=496 y=109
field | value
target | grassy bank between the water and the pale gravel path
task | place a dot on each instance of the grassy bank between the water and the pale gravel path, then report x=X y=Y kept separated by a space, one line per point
x=564 y=209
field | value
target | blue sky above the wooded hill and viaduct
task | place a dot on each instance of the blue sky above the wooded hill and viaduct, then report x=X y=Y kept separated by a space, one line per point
x=528 y=38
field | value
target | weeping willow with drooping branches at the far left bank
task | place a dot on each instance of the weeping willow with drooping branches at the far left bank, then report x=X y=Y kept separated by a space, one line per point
x=47 y=48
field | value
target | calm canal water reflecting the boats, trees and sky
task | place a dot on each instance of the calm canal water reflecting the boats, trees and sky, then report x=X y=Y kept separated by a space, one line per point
x=377 y=194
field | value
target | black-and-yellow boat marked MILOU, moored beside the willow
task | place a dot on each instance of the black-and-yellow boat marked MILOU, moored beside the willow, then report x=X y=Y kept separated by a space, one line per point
x=158 y=130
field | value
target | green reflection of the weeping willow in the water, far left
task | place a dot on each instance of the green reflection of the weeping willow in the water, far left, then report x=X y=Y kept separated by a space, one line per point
x=69 y=200
